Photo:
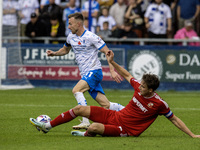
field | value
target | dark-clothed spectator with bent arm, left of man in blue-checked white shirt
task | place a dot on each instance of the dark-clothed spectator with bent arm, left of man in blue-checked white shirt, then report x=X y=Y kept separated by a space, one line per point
x=134 y=15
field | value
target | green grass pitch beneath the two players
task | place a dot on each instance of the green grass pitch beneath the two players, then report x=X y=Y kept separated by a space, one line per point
x=16 y=132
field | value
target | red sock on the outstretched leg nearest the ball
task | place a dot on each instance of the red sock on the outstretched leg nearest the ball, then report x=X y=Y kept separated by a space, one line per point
x=63 y=118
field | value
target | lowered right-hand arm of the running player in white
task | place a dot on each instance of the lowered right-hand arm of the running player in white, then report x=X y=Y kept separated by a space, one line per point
x=114 y=74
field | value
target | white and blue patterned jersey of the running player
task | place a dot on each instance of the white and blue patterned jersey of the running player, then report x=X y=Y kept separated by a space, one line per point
x=86 y=48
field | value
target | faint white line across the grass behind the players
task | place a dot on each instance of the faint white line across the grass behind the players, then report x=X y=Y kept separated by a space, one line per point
x=67 y=106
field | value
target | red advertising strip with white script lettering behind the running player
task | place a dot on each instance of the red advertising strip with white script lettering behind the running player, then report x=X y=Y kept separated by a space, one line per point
x=50 y=72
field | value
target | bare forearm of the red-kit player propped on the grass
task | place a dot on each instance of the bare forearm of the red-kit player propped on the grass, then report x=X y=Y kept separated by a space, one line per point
x=181 y=125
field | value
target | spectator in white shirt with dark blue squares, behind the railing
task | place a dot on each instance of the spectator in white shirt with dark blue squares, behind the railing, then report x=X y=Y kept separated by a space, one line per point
x=158 y=20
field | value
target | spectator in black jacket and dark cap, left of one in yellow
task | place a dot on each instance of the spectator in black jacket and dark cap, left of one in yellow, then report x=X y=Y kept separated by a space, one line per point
x=35 y=28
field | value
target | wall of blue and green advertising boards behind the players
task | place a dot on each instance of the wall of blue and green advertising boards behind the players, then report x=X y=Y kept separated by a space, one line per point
x=177 y=66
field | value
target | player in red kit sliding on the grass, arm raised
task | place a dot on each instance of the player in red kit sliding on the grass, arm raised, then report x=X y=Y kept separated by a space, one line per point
x=134 y=119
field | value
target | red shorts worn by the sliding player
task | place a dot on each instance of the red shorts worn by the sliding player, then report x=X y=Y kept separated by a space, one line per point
x=107 y=117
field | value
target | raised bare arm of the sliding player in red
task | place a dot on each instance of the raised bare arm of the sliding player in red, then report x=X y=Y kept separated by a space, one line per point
x=123 y=72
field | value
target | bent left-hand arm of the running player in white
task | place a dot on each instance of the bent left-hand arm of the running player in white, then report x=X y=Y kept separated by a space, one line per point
x=62 y=51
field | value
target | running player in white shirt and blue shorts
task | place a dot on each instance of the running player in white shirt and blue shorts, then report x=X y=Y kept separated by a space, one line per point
x=86 y=46
